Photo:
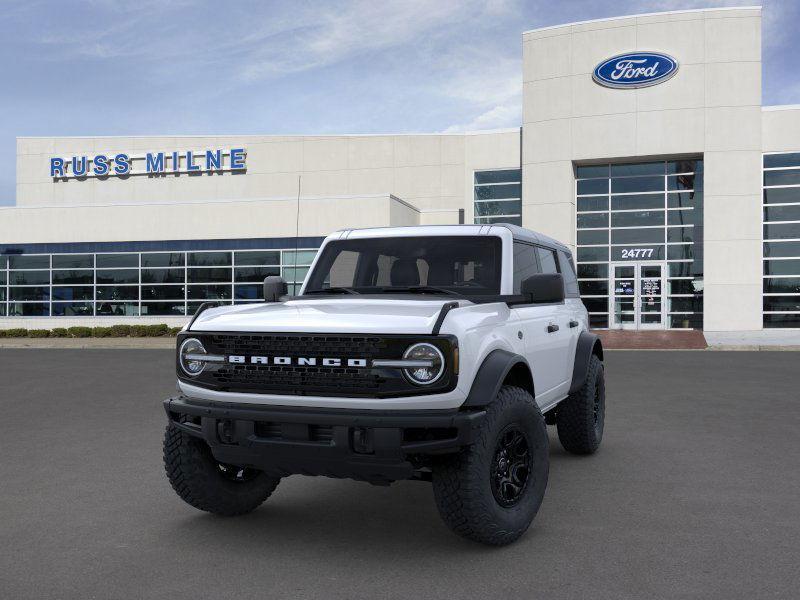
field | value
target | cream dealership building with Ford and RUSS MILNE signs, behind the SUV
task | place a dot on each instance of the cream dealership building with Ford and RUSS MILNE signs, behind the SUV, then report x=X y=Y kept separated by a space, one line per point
x=644 y=146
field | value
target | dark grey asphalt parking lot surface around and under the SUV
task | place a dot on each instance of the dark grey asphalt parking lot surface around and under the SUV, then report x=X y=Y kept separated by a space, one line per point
x=694 y=494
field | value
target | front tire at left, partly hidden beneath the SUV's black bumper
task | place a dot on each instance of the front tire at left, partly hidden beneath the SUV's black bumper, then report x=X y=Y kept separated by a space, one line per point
x=200 y=480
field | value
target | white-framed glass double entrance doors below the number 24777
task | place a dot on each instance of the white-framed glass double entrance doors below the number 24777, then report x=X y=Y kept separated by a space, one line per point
x=637 y=295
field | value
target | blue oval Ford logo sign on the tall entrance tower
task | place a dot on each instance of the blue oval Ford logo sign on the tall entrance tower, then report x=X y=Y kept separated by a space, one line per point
x=635 y=70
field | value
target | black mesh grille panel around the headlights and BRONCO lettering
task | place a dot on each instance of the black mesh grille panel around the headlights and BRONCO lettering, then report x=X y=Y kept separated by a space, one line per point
x=314 y=380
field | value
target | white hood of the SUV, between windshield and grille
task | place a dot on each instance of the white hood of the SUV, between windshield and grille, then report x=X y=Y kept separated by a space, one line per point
x=330 y=315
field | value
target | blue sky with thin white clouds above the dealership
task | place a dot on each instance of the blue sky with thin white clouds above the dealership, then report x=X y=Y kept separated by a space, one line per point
x=161 y=67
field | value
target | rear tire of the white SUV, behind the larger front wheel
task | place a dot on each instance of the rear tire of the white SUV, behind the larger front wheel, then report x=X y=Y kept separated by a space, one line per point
x=581 y=417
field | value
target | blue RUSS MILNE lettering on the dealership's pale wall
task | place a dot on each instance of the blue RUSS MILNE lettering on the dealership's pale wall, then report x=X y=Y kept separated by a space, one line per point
x=151 y=163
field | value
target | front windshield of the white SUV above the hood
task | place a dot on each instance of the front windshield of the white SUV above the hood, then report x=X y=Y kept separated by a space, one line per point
x=464 y=265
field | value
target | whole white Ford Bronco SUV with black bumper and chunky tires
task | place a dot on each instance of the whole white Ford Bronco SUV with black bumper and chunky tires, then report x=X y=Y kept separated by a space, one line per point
x=435 y=353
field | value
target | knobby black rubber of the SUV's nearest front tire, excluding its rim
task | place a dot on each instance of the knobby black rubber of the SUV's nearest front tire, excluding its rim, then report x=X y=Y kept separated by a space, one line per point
x=462 y=483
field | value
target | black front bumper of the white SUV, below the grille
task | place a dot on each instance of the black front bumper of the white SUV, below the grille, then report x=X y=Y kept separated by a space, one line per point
x=375 y=446
